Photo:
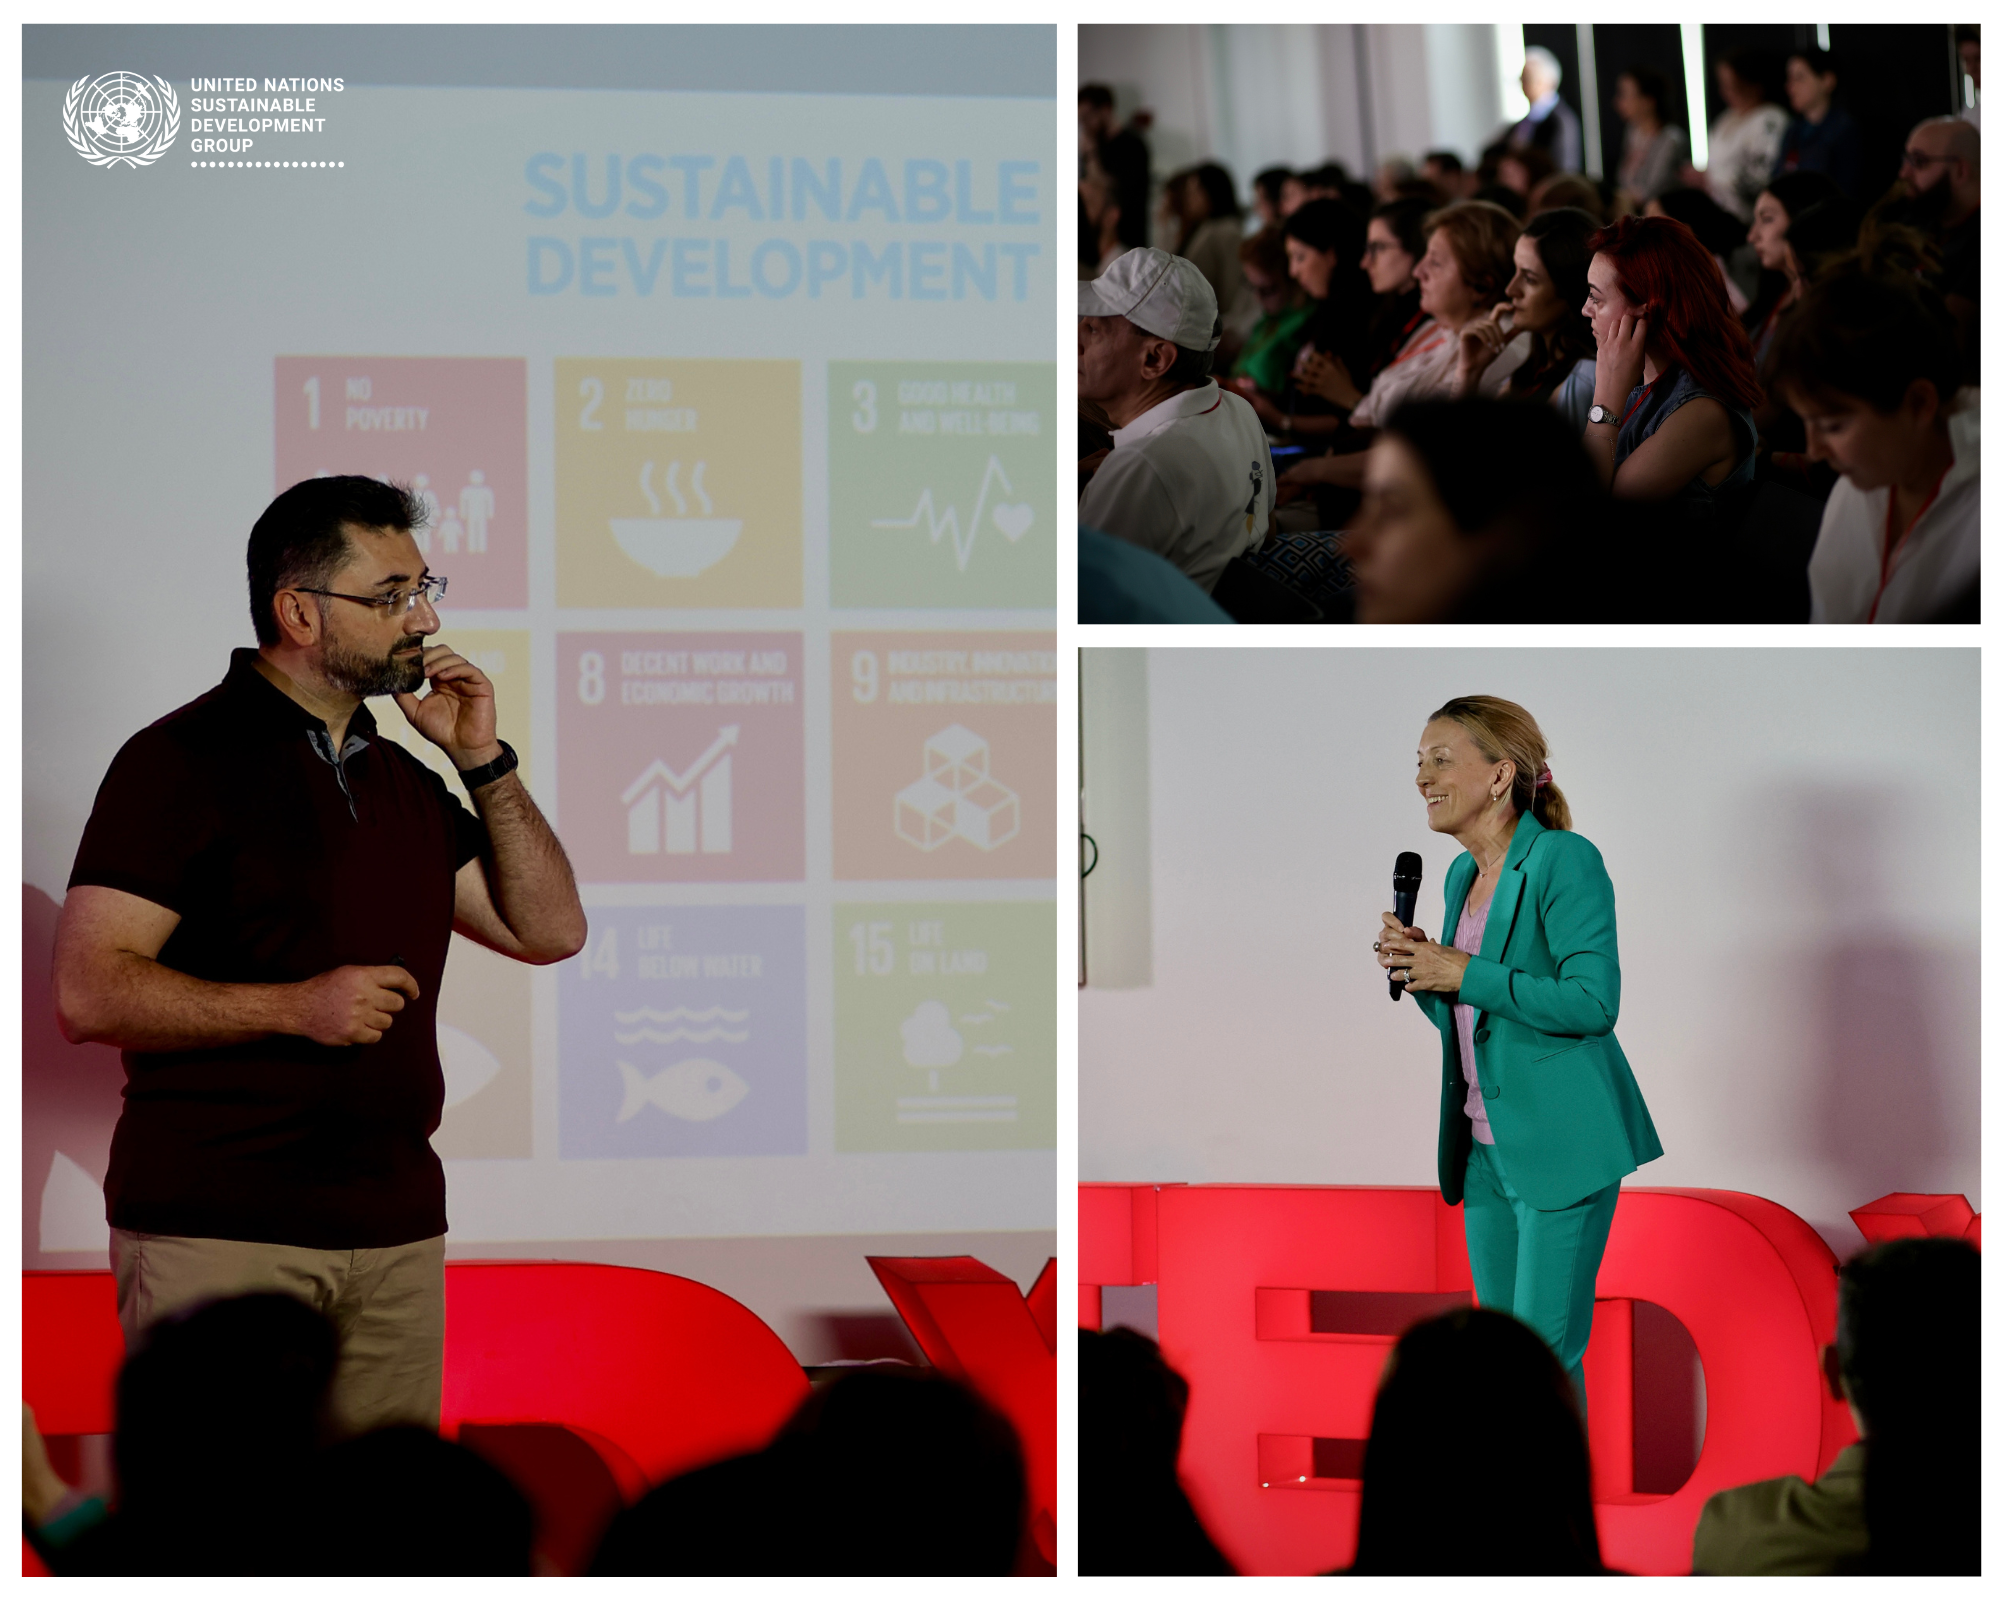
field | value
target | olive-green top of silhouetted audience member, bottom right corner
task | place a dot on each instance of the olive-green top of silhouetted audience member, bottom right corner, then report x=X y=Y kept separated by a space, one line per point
x=1787 y=1527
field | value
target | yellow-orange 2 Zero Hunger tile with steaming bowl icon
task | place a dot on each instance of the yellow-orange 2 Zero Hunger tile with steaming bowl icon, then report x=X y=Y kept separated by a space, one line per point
x=679 y=483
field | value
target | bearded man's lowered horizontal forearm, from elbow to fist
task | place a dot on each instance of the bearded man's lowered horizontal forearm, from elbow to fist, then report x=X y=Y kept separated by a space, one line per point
x=137 y=1005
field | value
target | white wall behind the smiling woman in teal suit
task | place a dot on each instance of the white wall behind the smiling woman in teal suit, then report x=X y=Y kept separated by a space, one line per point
x=1795 y=845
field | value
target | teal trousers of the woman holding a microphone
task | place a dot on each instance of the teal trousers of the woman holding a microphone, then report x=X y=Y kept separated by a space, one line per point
x=1543 y=1267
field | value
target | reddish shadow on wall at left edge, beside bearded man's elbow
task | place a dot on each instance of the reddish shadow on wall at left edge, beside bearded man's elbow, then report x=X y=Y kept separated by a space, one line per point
x=69 y=1105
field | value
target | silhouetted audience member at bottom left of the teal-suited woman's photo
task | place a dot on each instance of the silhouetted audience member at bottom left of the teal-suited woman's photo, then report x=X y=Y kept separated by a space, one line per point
x=1133 y=1517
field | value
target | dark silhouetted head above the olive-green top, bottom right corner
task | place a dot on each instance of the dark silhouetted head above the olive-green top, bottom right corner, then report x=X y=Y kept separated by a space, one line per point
x=1907 y=1357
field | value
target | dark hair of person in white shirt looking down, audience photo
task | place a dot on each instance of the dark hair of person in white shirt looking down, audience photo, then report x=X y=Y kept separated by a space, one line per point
x=1867 y=337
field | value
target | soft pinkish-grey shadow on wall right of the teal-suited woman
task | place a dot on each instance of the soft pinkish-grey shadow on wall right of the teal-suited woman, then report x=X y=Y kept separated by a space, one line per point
x=1881 y=1117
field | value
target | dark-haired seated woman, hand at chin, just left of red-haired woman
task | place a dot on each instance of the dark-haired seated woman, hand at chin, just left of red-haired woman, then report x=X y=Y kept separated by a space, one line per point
x=1545 y=305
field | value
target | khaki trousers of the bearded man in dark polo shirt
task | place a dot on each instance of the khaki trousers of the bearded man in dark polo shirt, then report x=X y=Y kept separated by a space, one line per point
x=389 y=1307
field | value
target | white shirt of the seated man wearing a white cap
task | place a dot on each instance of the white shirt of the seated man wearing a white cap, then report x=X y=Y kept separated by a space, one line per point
x=1189 y=481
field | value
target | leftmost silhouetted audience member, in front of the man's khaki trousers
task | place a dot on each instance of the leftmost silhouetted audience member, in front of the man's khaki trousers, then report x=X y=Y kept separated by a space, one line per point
x=219 y=1415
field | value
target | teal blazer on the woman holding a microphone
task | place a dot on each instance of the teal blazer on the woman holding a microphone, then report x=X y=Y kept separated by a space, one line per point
x=1563 y=1103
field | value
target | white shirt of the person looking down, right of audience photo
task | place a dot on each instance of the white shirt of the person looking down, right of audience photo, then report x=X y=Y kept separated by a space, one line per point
x=1937 y=561
